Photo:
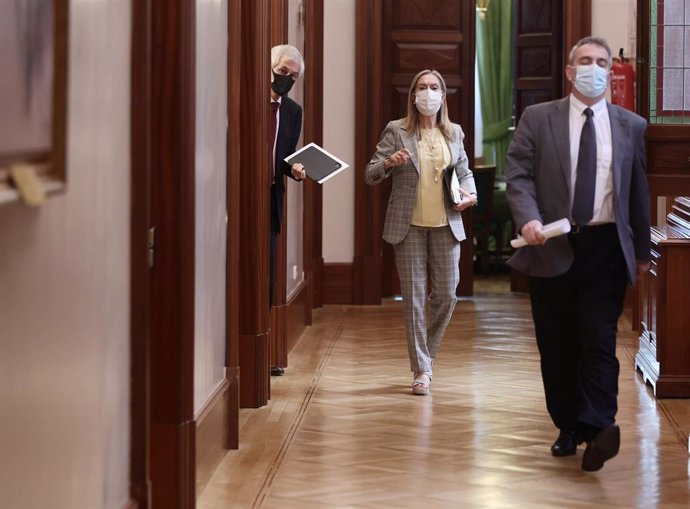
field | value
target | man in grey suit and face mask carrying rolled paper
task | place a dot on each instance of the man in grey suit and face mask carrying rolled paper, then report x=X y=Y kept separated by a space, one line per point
x=580 y=158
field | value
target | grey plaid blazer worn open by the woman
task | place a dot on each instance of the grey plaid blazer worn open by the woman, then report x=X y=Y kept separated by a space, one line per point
x=405 y=178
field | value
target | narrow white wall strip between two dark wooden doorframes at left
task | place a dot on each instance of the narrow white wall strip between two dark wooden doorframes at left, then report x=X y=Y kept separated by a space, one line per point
x=211 y=221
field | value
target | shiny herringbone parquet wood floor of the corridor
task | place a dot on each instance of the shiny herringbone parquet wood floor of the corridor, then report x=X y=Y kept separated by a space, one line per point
x=343 y=431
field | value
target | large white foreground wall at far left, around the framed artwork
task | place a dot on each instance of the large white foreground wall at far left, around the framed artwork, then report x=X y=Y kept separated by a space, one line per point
x=64 y=294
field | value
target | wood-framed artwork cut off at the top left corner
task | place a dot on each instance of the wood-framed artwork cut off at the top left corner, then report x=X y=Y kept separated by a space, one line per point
x=33 y=94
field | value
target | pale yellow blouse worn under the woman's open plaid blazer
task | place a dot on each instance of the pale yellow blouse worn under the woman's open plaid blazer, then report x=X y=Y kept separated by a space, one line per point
x=434 y=156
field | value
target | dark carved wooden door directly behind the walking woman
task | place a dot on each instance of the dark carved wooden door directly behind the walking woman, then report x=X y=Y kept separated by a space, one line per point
x=397 y=39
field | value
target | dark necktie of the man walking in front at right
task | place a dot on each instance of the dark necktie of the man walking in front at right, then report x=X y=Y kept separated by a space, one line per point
x=583 y=201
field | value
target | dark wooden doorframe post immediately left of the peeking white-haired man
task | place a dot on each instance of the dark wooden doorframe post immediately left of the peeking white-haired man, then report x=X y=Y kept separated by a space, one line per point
x=254 y=205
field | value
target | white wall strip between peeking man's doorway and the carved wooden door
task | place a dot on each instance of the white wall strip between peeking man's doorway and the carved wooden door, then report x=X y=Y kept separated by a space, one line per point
x=339 y=129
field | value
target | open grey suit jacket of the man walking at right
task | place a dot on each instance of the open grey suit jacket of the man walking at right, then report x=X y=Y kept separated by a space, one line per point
x=538 y=185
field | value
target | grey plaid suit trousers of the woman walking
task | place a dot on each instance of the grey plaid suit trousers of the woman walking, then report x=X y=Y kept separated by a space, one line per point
x=439 y=250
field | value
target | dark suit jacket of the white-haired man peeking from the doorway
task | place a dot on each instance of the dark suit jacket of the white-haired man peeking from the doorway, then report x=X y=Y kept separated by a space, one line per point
x=286 y=143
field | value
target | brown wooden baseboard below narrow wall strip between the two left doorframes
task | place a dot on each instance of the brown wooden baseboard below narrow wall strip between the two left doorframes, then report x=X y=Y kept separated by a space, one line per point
x=212 y=430
